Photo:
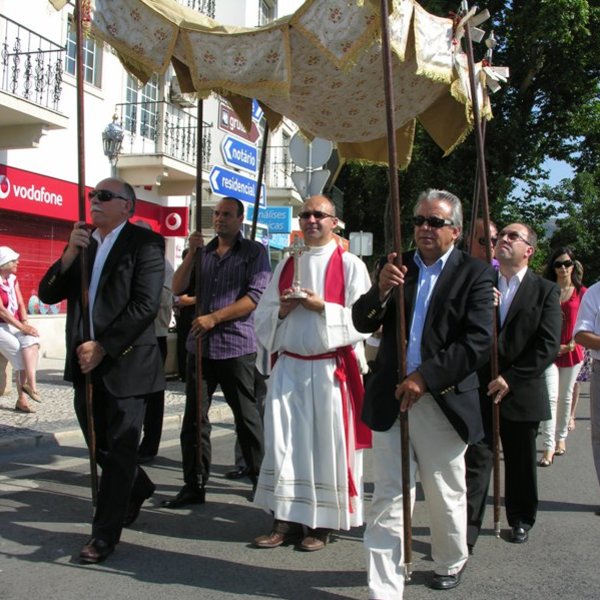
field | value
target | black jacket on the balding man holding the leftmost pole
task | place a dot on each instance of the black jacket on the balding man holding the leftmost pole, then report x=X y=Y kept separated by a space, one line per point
x=126 y=304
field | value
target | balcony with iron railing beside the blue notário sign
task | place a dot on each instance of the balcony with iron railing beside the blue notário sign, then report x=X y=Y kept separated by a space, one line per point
x=161 y=143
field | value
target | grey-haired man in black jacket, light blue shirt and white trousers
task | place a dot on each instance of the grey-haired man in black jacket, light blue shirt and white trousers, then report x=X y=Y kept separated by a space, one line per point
x=448 y=309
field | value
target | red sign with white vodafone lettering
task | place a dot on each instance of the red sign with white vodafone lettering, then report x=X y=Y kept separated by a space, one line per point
x=30 y=193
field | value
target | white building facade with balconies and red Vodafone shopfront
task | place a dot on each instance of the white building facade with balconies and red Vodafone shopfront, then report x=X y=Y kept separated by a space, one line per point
x=158 y=156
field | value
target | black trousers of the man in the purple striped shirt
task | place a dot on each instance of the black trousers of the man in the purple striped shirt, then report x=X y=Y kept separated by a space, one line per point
x=236 y=378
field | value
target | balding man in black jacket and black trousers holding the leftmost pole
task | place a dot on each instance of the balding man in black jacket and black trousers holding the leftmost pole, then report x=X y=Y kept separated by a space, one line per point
x=126 y=269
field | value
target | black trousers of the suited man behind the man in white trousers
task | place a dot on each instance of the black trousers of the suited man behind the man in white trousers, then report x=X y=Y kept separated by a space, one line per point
x=520 y=476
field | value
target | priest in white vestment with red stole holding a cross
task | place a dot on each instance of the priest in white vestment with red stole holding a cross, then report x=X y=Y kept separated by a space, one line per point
x=311 y=475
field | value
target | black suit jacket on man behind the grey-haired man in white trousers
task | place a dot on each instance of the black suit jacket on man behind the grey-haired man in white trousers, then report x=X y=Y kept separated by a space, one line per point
x=528 y=342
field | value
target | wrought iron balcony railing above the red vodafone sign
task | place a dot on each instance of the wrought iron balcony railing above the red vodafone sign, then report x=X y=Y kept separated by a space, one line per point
x=31 y=66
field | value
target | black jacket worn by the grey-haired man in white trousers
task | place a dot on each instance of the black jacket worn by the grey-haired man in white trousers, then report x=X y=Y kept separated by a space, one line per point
x=456 y=342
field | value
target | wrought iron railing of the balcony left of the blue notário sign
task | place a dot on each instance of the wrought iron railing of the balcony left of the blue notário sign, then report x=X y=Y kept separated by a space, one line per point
x=162 y=128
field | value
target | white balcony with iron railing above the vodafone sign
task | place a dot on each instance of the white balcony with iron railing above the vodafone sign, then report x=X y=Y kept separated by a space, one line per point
x=31 y=84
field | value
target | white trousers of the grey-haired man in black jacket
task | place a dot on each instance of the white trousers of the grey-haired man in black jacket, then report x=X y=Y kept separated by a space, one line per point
x=438 y=452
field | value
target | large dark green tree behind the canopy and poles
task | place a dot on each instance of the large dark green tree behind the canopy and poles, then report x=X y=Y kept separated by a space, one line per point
x=550 y=108
